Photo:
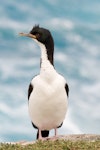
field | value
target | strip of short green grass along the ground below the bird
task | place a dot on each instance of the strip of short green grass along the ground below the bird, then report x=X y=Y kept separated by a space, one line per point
x=56 y=145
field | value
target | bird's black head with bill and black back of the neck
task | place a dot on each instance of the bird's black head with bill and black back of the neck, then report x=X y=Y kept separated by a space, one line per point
x=44 y=37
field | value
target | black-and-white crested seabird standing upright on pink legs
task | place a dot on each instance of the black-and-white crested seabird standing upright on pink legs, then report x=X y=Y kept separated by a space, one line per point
x=48 y=91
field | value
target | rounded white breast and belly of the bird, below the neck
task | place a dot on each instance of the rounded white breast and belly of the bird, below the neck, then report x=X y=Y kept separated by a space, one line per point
x=48 y=103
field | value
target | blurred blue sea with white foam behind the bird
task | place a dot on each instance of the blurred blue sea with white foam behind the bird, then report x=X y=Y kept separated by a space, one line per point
x=75 y=26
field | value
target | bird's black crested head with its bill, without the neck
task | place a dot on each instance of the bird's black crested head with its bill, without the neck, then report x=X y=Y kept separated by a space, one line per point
x=39 y=34
